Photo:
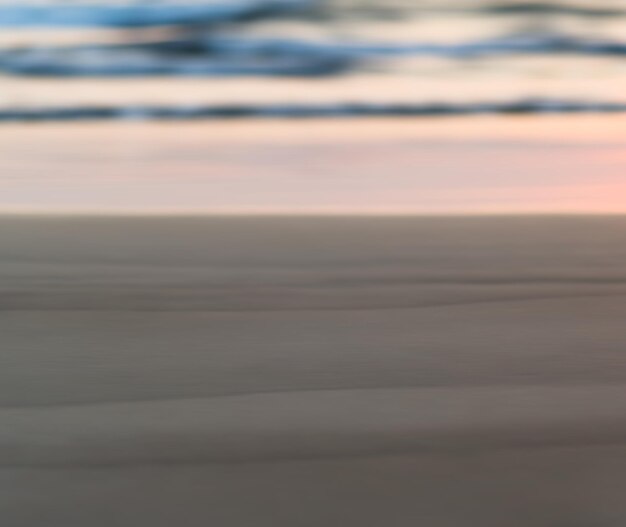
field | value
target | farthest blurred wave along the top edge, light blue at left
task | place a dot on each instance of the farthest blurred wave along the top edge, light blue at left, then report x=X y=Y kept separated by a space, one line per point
x=134 y=14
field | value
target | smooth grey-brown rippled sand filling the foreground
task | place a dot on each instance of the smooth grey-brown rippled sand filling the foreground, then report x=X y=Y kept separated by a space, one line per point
x=312 y=371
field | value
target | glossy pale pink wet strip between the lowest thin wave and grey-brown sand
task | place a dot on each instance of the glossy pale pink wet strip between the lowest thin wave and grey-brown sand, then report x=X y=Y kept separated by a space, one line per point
x=478 y=165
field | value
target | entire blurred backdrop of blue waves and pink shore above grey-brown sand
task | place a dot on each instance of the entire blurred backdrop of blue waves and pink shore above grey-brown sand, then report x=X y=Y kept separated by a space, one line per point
x=312 y=106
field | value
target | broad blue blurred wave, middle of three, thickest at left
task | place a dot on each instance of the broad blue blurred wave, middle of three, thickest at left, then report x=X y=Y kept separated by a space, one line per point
x=206 y=55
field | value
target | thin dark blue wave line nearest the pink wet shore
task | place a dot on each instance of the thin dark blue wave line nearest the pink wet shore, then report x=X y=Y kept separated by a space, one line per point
x=336 y=110
